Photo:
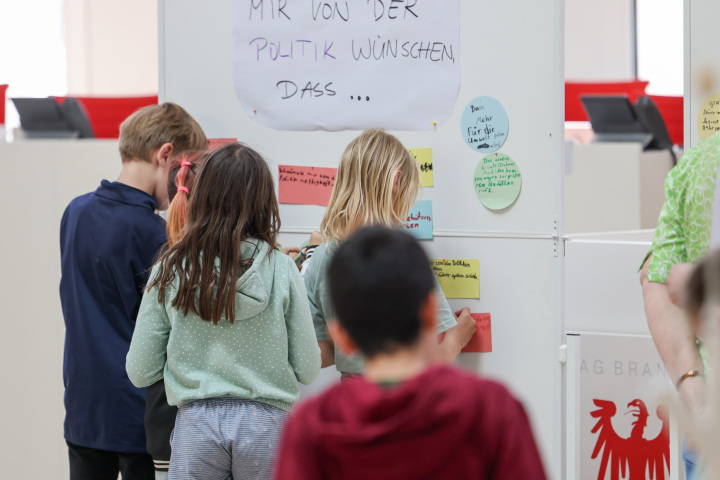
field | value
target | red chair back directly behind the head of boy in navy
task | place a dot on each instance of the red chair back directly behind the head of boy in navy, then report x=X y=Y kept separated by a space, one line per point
x=107 y=113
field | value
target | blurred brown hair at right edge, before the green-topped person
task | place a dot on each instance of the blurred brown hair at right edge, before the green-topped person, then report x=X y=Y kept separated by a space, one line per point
x=703 y=286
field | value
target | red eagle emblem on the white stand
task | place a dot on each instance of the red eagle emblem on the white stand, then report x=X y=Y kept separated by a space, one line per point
x=632 y=456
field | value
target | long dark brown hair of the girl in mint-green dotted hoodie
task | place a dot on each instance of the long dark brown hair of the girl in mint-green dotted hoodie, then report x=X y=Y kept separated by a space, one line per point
x=233 y=200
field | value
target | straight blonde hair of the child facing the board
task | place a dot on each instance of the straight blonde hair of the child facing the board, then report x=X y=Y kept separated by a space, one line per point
x=363 y=191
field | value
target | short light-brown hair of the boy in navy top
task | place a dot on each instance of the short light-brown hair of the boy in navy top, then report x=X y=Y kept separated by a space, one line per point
x=149 y=128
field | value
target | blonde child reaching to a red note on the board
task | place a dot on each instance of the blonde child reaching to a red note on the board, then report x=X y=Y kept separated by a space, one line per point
x=376 y=184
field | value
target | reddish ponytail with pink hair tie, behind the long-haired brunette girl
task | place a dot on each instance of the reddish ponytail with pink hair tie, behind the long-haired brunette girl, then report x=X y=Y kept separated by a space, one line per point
x=183 y=171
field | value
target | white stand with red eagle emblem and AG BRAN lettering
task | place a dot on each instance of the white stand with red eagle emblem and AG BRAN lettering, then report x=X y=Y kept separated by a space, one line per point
x=610 y=353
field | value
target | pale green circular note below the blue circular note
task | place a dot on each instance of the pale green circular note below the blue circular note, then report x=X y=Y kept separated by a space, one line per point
x=497 y=181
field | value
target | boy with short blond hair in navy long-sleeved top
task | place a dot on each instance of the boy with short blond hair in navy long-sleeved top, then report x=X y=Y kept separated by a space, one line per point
x=108 y=241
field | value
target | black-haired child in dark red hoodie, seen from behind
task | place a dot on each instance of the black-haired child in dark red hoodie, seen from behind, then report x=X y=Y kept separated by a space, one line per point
x=406 y=418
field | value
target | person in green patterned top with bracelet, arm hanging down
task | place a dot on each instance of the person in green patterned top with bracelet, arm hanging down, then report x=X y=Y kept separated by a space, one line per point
x=682 y=237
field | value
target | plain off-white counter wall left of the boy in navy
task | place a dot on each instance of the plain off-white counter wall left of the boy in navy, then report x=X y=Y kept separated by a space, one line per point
x=41 y=177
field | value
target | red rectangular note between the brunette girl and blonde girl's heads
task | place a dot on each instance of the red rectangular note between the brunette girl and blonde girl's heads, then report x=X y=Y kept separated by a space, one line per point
x=305 y=185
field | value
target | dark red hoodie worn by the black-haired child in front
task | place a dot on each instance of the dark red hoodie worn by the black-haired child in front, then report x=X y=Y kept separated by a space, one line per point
x=439 y=424
